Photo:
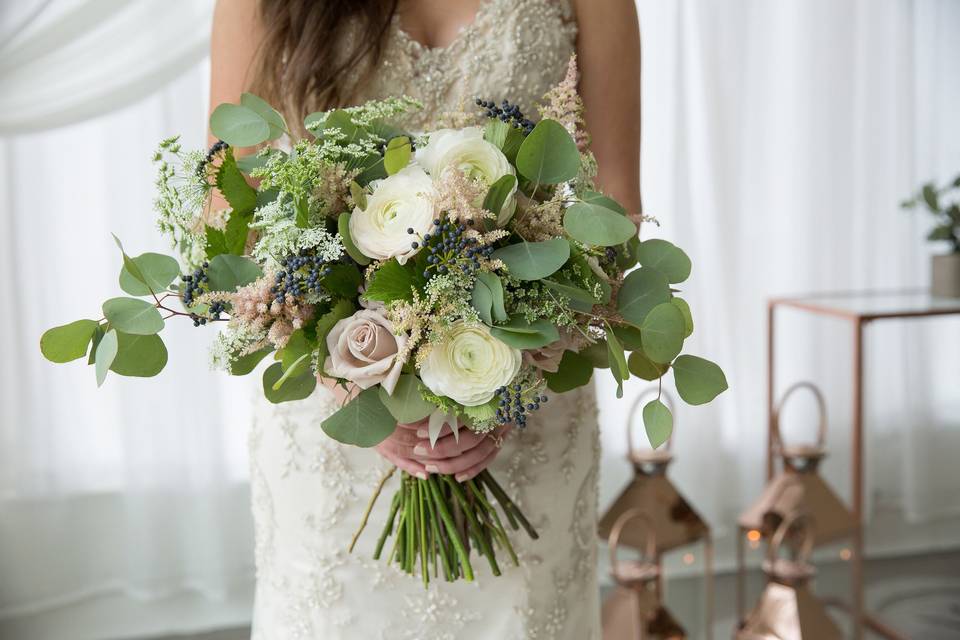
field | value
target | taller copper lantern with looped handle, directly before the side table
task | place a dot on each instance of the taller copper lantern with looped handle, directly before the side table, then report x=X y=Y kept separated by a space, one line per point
x=798 y=490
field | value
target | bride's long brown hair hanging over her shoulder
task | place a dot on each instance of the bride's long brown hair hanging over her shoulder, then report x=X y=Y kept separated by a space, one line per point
x=309 y=46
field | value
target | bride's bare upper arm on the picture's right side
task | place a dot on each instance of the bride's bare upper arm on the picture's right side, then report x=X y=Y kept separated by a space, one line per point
x=608 y=51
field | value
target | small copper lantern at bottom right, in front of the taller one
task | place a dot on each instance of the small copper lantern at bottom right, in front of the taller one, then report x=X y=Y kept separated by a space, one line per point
x=787 y=610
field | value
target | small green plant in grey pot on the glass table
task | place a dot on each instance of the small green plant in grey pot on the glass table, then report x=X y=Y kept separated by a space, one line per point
x=944 y=205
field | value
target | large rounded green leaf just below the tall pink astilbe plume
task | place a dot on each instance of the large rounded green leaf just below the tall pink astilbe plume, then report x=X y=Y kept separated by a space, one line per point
x=548 y=155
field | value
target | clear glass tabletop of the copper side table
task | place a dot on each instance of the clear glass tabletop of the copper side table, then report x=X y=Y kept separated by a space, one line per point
x=874 y=304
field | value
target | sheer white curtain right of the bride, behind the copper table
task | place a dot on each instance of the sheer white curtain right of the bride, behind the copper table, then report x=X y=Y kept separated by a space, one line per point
x=779 y=139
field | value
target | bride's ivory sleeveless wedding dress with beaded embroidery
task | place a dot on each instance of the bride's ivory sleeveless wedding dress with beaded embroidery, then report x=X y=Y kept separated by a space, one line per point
x=309 y=492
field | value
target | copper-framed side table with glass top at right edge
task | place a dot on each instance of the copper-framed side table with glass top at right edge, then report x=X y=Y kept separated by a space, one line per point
x=859 y=309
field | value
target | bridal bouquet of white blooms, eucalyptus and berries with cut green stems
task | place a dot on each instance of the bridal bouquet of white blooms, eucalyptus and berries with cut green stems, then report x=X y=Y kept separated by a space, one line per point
x=457 y=276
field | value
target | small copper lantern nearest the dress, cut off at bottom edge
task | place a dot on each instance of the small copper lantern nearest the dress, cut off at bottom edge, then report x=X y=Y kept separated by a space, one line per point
x=637 y=602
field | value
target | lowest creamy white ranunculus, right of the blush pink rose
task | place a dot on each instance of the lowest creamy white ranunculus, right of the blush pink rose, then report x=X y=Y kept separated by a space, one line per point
x=469 y=365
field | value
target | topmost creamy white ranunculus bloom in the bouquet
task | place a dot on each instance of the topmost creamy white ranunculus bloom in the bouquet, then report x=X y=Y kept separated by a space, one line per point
x=466 y=150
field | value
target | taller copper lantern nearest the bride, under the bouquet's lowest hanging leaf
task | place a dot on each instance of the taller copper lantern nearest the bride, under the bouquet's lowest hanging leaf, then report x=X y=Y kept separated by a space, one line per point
x=672 y=523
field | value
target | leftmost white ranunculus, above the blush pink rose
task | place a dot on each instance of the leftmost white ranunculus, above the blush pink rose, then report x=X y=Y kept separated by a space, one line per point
x=399 y=202
